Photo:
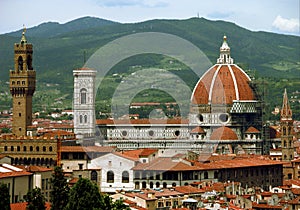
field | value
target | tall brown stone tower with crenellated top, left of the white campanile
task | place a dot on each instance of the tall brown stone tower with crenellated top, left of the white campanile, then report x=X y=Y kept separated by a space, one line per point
x=22 y=86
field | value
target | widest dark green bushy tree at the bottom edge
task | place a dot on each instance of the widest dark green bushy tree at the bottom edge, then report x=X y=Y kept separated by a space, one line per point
x=84 y=195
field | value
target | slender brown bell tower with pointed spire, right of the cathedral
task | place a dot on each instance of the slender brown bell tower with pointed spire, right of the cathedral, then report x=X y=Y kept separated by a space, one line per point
x=286 y=123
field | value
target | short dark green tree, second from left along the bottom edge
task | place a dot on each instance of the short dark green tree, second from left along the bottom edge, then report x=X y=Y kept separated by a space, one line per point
x=35 y=199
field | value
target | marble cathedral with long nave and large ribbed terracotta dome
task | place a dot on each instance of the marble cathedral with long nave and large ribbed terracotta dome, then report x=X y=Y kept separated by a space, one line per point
x=225 y=117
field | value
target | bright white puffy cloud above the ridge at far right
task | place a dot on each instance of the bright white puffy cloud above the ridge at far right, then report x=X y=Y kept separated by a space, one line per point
x=286 y=25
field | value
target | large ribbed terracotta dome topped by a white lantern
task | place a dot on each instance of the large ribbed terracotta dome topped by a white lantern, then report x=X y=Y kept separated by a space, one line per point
x=223 y=82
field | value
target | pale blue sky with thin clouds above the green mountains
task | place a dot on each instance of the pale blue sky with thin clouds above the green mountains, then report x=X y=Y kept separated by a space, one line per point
x=280 y=16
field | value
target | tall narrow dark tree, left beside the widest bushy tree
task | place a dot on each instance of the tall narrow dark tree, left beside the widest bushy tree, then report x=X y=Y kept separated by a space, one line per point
x=60 y=190
